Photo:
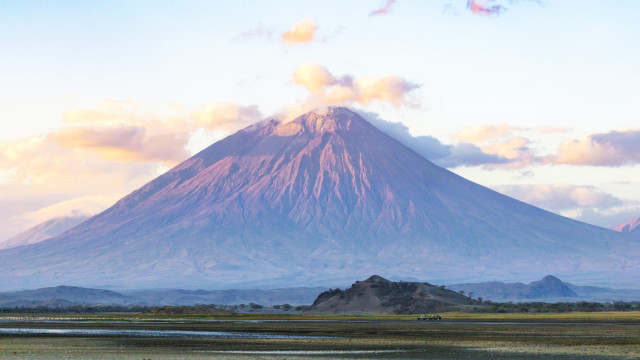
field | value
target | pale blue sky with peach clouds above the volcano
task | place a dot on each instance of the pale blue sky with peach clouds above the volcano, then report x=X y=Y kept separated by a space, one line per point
x=535 y=99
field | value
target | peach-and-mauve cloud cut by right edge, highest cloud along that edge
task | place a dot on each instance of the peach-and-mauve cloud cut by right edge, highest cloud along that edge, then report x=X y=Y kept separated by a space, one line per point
x=615 y=148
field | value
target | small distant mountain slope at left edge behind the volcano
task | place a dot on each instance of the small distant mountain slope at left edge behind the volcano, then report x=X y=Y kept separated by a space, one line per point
x=43 y=231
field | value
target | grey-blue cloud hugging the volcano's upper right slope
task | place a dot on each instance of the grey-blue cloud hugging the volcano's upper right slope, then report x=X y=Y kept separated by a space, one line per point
x=462 y=154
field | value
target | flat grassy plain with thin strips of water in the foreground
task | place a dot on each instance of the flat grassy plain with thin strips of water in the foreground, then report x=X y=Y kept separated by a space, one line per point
x=612 y=335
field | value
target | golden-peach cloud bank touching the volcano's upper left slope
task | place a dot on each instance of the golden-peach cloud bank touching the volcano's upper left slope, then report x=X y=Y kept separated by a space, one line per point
x=124 y=131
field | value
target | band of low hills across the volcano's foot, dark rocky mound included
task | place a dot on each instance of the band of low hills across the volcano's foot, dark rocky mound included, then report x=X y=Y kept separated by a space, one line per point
x=375 y=294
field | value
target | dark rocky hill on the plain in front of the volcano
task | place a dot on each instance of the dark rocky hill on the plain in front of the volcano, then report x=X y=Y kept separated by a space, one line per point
x=379 y=295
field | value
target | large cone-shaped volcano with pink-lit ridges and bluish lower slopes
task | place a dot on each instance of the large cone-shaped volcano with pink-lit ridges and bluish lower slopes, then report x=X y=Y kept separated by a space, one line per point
x=321 y=200
